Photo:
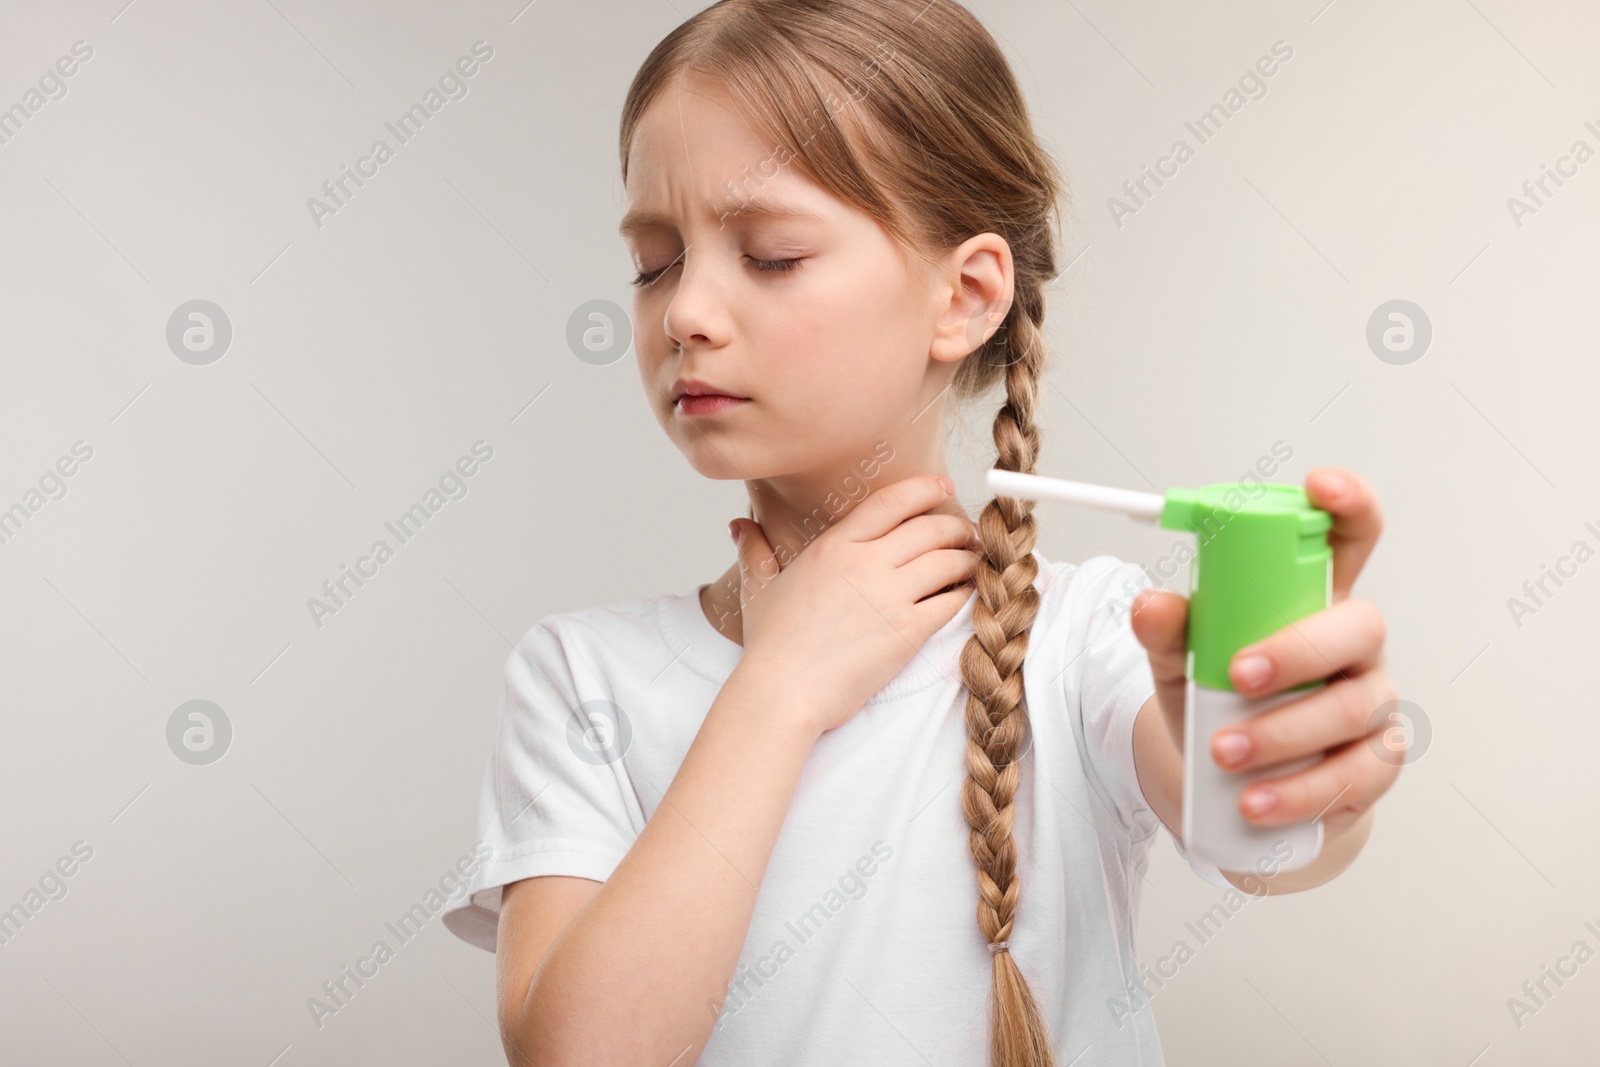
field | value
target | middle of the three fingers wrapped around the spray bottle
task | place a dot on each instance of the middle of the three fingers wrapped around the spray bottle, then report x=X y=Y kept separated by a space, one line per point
x=1308 y=725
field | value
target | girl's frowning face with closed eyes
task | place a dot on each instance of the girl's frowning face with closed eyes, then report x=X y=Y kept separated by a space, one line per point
x=767 y=287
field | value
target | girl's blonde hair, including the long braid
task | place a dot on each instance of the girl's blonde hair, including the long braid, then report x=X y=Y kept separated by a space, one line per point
x=929 y=111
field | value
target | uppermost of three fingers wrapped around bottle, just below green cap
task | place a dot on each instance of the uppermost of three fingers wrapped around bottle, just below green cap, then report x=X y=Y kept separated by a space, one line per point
x=1346 y=637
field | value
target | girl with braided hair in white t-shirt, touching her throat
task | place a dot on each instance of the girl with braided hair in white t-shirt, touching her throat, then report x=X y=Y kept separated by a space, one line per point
x=754 y=823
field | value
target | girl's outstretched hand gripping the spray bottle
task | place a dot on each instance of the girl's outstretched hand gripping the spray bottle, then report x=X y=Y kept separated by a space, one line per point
x=1343 y=644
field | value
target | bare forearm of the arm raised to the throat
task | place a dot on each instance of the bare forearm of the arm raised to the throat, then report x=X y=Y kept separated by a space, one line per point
x=641 y=973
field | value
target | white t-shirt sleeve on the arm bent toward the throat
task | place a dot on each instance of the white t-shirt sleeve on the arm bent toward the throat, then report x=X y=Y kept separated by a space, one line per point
x=556 y=797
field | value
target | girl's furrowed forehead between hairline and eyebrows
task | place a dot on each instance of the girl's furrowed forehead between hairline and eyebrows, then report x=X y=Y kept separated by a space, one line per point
x=697 y=153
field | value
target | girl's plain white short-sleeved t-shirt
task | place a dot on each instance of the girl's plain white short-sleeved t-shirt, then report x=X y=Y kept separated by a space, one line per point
x=865 y=943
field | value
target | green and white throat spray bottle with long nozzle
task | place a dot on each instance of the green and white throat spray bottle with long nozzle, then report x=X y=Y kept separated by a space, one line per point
x=1263 y=562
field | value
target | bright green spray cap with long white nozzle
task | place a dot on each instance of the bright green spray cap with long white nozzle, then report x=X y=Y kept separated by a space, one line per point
x=1262 y=562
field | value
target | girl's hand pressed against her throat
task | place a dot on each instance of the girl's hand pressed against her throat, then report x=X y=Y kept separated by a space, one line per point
x=847 y=615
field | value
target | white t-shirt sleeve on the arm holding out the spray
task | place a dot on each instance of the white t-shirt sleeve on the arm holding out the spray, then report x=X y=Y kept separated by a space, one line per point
x=1111 y=674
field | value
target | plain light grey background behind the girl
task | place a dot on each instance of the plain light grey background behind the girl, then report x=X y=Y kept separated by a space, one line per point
x=369 y=354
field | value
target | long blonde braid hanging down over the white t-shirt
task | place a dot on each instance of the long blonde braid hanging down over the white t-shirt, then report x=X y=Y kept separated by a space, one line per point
x=996 y=709
